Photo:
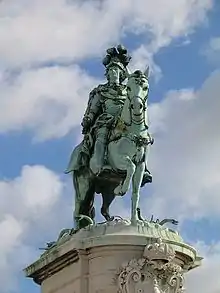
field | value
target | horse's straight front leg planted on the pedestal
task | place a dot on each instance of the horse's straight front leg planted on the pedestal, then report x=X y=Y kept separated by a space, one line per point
x=136 y=186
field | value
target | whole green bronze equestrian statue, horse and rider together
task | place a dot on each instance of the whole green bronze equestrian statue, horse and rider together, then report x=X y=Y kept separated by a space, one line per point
x=114 y=151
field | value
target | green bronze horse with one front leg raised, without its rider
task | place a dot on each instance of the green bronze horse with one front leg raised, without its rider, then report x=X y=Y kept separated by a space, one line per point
x=127 y=154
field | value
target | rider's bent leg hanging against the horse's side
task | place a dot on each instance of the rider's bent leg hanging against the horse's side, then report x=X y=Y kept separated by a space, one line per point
x=97 y=160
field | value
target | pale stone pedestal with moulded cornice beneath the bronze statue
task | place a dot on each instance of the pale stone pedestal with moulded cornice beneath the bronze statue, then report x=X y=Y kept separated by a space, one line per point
x=116 y=257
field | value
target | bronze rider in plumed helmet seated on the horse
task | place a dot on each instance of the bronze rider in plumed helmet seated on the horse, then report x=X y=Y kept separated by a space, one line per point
x=105 y=104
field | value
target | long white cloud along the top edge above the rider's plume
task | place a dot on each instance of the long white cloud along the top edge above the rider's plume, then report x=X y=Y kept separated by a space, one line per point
x=35 y=32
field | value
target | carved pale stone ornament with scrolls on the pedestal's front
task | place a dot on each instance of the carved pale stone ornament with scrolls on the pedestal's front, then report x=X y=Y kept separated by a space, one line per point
x=155 y=272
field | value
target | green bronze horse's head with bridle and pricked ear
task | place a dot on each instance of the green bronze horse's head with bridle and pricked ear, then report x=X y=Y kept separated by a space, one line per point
x=137 y=88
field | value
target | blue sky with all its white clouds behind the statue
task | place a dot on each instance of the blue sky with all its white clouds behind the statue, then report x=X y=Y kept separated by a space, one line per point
x=50 y=59
